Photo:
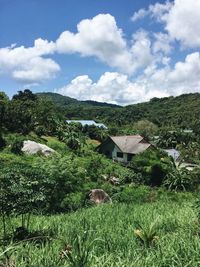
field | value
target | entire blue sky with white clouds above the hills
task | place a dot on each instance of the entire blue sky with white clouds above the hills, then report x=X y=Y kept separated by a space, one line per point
x=115 y=51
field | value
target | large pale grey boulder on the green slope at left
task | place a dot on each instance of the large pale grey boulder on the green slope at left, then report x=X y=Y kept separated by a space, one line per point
x=31 y=147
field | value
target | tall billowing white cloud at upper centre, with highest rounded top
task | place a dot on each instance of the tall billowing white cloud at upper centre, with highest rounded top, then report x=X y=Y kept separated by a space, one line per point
x=99 y=37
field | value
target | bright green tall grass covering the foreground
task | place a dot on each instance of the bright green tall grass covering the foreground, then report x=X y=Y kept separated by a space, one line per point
x=104 y=236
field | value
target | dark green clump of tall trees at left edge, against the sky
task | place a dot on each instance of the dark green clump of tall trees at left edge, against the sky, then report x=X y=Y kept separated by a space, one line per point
x=25 y=112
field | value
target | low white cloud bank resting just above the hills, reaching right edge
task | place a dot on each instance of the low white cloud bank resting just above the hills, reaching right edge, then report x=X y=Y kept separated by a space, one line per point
x=114 y=87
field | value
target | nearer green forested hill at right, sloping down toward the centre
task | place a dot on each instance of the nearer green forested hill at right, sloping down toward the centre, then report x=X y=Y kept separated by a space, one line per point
x=181 y=111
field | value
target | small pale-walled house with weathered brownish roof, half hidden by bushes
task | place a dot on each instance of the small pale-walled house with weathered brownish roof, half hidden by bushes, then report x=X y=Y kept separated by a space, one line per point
x=123 y=148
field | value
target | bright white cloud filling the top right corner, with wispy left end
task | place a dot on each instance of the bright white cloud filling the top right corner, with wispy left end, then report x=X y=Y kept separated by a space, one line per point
x=181 y=20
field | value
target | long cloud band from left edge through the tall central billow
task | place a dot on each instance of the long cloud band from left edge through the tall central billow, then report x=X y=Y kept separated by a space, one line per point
x=99 y=37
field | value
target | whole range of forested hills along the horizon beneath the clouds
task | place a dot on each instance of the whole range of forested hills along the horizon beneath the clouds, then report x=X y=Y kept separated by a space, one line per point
x=173 y=112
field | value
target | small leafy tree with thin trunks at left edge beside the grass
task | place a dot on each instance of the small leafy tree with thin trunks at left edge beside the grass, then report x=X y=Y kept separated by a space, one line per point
x=23 y=191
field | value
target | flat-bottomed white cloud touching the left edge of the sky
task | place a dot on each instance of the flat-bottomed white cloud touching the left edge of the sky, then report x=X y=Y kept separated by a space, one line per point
x=28 y=64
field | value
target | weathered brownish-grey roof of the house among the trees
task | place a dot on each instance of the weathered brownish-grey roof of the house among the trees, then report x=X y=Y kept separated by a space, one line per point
x=131 y=144
